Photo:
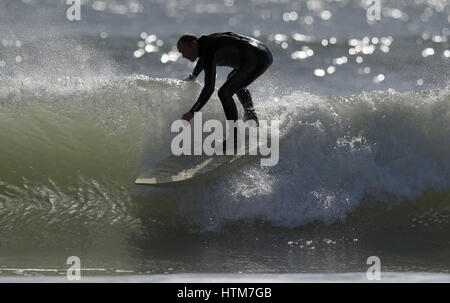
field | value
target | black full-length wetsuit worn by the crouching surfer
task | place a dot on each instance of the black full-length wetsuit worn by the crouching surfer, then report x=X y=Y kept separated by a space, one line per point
x=249 y=59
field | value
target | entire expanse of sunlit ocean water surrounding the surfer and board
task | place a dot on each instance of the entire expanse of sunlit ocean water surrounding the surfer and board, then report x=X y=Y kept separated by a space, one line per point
x=364 y=165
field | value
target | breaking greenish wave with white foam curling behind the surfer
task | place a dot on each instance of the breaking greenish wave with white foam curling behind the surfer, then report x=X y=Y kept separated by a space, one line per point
x=71 y=148
